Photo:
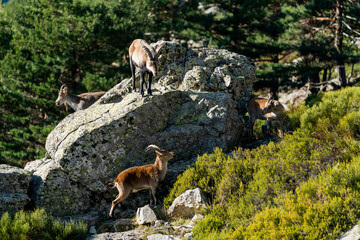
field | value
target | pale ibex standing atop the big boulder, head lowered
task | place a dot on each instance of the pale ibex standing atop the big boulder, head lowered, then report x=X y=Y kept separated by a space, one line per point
x=143 y=56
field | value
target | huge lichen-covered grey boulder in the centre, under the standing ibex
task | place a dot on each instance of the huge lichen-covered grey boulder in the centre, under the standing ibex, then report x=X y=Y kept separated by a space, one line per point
x=195 y=107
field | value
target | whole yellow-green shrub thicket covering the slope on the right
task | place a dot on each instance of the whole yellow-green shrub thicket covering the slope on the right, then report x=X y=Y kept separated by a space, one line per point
x=306 y=186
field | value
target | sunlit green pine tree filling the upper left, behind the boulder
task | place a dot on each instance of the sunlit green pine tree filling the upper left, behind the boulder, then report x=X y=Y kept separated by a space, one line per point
x=46 y=43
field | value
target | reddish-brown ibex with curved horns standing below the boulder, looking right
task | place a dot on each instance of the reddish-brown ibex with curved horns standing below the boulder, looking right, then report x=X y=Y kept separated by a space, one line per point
x=141 y=177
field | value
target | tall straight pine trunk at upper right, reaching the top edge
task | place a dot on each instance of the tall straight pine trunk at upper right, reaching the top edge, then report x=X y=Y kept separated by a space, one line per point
x=340 y=65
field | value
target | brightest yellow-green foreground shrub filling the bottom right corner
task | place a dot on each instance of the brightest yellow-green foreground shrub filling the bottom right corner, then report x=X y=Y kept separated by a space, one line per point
x=320 y=208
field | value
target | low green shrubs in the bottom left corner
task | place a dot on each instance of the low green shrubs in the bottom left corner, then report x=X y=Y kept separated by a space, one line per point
x=38 y=225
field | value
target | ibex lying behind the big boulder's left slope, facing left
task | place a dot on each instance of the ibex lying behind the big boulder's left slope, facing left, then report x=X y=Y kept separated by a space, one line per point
x=77 y=102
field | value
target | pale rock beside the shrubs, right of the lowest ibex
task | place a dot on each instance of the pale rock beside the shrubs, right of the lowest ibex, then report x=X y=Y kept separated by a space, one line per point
x=184 y=205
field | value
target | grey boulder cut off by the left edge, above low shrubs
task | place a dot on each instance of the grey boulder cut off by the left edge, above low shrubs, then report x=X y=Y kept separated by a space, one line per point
x=13 y=188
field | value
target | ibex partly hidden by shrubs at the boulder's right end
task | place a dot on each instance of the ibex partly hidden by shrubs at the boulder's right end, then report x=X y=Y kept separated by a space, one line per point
x=264 y=109
